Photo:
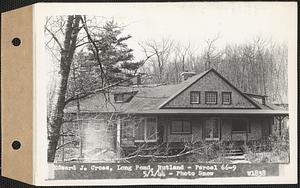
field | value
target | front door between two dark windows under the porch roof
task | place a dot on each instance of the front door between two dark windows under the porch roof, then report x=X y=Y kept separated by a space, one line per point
x=212 y=129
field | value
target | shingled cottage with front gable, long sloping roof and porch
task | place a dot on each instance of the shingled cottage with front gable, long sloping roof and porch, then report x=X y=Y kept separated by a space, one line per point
x=203 y=107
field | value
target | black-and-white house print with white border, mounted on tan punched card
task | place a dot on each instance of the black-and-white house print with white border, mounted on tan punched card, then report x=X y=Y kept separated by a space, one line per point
x=168 y=91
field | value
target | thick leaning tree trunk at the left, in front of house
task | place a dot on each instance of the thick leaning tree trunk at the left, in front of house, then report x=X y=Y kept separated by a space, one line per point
x=57 y=113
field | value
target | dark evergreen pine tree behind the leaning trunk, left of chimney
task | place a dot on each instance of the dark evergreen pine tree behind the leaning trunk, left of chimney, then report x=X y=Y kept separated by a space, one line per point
x=116 y=58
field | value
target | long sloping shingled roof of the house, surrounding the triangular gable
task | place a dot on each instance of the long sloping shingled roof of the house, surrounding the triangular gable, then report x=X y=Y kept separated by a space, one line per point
x=151 y=99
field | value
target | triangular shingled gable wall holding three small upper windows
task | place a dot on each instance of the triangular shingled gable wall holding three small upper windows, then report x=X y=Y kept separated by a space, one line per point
x=210 y=80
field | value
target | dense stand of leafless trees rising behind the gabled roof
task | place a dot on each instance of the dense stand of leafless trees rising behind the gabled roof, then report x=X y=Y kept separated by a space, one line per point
x=258 y=66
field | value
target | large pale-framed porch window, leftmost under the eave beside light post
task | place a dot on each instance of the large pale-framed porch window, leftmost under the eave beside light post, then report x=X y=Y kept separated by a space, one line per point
x=146 y=130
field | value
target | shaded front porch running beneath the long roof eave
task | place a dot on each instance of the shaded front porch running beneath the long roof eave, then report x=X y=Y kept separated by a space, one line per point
x=179 y=129
